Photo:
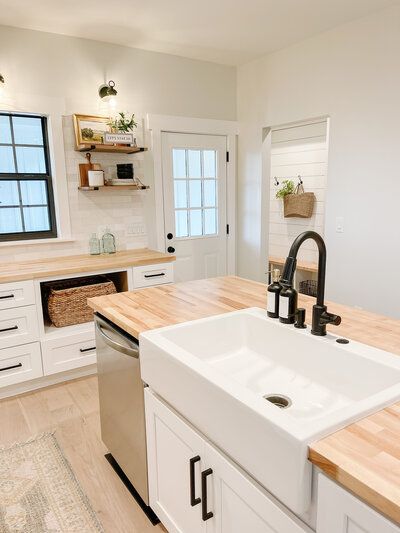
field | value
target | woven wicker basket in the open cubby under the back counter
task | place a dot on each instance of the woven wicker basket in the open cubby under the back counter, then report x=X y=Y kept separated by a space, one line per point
x=67 y=300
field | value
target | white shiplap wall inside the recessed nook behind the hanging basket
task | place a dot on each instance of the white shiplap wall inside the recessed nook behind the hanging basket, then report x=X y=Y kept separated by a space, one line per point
x=298 y=150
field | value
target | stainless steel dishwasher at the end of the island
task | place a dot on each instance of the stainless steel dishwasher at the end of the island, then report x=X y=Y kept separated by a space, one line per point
x=121 y=394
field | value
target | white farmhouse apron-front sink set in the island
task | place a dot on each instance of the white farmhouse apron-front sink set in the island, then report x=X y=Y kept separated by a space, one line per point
x=218 y=371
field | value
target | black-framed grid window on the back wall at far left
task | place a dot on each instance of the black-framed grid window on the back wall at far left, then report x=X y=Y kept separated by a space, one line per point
x=26 y=190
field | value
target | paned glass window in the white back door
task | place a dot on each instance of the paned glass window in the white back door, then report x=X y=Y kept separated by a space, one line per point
x=195 y=192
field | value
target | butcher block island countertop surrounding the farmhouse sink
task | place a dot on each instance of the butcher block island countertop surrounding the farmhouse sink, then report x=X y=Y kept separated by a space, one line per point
x=365 y=456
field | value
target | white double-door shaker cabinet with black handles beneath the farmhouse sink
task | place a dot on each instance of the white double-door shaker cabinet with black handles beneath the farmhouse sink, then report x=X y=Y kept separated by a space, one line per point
x=195 y=488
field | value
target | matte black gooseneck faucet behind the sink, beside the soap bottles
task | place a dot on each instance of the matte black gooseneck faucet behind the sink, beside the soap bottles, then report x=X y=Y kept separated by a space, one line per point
x=321 y=317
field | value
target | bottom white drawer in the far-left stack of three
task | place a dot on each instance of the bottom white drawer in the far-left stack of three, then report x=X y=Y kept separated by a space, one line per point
x=20 y=363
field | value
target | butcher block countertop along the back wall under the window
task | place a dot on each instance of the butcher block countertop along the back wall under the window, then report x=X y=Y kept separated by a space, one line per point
x=75 y=264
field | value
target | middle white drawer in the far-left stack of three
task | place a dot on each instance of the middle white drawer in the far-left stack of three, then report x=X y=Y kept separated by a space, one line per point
x=18 y=326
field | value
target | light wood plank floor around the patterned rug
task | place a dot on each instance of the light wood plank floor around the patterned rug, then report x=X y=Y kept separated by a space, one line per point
x=72 y=410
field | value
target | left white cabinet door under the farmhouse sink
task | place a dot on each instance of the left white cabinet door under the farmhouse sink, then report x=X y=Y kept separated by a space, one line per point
x=171 y=445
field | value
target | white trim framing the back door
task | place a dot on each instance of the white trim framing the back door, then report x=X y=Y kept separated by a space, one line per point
x=159 y=124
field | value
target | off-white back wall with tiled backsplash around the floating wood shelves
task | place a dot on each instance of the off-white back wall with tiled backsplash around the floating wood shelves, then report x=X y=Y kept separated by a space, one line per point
x=69 y=71
